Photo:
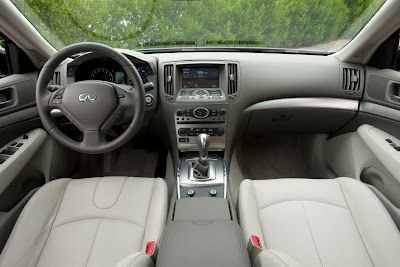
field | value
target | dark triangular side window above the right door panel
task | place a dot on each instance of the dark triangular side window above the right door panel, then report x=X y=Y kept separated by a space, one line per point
x=387 y=56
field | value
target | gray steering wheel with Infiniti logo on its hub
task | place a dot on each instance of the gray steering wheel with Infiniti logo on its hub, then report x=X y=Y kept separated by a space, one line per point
x=92 y=106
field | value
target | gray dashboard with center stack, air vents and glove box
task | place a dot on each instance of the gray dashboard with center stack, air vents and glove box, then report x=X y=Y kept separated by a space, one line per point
x=228 y=95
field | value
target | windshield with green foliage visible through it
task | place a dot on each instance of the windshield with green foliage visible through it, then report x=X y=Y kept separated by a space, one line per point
x=318 y=25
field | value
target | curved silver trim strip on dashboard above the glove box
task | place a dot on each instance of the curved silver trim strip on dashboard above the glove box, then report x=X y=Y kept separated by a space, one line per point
x=307 y=102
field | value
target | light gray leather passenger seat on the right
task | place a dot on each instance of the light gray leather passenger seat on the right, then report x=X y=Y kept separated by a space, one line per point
x=309 y=222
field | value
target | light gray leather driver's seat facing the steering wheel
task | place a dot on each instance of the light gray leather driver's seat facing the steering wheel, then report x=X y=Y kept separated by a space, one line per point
x=89 y=222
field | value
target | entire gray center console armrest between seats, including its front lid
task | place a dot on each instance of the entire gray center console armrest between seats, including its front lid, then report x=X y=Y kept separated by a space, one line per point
x=202 y=233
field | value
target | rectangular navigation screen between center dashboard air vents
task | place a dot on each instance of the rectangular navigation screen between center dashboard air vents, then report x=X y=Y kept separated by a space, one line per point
x=200 y=78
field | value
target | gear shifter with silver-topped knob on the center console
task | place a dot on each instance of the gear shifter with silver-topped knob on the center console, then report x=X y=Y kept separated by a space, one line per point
x=201 y=167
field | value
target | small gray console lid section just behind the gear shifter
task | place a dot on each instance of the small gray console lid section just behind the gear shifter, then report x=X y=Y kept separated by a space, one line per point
x=202 y=209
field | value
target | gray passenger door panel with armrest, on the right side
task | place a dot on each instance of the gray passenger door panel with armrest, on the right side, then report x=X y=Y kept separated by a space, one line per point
x=365 y=157
